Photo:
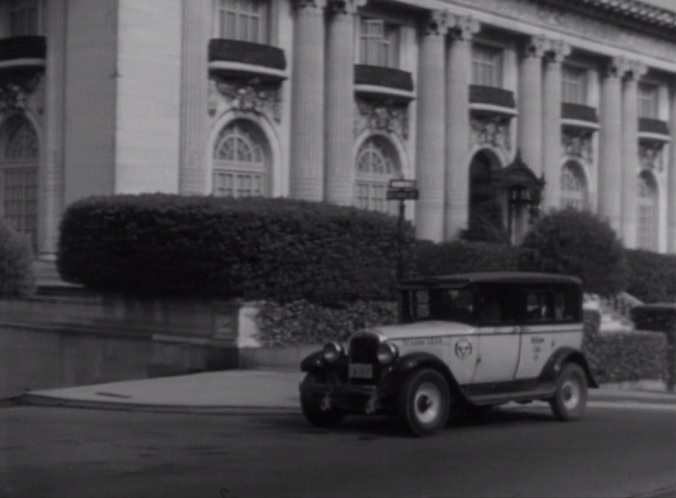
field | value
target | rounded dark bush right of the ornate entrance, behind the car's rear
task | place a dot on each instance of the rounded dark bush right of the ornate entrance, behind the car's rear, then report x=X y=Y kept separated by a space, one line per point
x=581 y=244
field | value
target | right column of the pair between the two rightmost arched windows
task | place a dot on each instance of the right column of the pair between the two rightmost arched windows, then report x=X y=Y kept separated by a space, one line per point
x=630 y=157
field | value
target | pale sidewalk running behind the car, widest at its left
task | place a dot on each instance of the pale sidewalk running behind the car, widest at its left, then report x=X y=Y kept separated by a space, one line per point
x=247 y=391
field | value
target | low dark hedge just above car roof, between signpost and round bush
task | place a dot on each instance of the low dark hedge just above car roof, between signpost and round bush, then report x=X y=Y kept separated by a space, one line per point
x=461 y=256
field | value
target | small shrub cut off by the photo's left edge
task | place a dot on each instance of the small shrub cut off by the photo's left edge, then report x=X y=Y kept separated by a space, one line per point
x=16 y=264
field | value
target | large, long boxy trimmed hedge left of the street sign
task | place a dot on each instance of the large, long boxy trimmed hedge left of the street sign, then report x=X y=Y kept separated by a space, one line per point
x=255 y=248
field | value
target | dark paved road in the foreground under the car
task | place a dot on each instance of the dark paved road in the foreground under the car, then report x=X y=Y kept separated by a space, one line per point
x=615 y=451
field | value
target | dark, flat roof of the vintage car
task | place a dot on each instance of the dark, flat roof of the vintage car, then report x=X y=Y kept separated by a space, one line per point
x=515 y=277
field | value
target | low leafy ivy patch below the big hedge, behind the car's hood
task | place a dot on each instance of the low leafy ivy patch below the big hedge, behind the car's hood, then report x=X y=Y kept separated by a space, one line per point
x=302 y=322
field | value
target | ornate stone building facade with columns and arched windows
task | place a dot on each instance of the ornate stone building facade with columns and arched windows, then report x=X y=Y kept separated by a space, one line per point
x=519 y=106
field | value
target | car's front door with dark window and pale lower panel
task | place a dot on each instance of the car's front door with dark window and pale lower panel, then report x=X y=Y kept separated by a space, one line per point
x=498 y=333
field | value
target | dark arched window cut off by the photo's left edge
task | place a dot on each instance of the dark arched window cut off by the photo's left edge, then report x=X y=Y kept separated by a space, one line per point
x=19 y=157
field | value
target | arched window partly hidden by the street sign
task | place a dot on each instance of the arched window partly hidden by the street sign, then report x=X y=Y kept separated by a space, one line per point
x=377 y=164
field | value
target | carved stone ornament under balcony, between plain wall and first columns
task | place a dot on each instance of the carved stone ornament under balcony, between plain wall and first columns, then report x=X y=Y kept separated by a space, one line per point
x=251 y=96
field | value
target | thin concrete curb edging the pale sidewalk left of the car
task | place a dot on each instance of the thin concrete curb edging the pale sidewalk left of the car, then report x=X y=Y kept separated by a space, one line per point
x=49 y=401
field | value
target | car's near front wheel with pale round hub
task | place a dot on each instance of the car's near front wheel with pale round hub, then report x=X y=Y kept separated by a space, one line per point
x=424 y=402
